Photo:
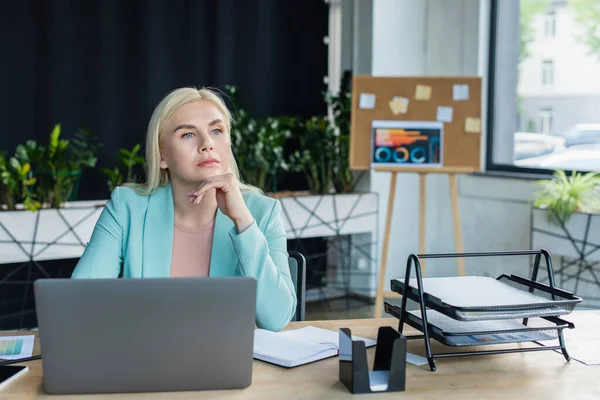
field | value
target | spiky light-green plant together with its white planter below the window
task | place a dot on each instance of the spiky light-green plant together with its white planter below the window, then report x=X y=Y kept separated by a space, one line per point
x=565 y=216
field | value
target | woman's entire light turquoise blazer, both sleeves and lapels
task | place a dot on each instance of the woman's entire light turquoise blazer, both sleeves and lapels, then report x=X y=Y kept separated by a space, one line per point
x=135 y=233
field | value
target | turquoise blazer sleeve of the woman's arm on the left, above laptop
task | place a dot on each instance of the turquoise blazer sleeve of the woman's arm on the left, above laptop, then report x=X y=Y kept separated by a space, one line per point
x=103 y=255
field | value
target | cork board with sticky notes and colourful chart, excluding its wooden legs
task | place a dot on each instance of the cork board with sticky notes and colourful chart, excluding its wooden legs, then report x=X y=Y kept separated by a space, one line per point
x=449 y=108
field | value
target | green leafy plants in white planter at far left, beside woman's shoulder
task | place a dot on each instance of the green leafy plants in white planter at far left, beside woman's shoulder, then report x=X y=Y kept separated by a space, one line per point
x=35 y=186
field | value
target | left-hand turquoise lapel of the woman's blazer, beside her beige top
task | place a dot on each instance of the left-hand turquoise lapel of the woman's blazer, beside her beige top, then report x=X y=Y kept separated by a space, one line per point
x=157 y=240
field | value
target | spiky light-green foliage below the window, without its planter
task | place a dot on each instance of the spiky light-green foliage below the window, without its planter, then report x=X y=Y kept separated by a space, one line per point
x=561 y=196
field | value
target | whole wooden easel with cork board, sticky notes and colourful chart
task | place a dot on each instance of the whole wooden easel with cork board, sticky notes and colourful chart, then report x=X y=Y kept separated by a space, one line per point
x=416 y=124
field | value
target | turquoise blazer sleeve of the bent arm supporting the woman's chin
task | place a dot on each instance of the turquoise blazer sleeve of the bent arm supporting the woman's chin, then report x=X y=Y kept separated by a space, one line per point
x=264 y=256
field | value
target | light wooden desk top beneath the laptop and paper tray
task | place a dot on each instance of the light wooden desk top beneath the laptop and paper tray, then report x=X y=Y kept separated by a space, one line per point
x=533 y=375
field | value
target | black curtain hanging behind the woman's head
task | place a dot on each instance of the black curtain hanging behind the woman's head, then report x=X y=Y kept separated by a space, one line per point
x=105 y=64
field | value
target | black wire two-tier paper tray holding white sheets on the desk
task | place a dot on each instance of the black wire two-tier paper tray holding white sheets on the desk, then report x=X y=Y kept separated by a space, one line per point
x=559 y=302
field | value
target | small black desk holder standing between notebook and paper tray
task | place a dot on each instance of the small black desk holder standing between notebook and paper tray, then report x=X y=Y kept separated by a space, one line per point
x=389 y=366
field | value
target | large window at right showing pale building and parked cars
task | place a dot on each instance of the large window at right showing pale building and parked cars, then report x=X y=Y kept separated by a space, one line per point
x=541 y=118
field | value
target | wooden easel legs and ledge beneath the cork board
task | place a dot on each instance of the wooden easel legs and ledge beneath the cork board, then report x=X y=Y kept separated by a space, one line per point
x=451 y=171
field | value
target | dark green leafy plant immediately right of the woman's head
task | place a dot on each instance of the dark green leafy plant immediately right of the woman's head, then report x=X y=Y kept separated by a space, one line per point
x=258 y=144
